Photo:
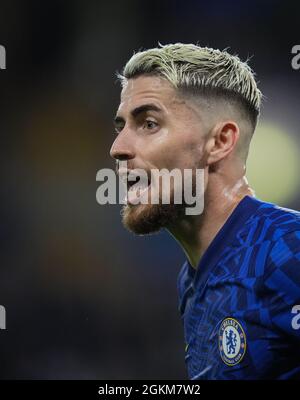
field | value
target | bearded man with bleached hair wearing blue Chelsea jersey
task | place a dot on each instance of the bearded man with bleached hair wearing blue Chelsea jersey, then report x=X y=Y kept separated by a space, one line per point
x=187 y=107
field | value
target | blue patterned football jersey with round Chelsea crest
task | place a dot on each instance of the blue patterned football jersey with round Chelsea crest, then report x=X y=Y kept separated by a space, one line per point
x=241 y=307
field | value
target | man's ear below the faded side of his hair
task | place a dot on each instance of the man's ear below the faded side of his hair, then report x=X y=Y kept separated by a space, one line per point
x=224 y=137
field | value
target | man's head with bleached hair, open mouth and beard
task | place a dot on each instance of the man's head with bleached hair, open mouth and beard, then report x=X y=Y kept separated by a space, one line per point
x=183 y=106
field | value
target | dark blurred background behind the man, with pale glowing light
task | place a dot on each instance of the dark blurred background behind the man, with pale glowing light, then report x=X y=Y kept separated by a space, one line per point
x=84 y=298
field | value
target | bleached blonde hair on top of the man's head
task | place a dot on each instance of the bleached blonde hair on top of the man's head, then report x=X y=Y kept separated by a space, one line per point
x=200 y=70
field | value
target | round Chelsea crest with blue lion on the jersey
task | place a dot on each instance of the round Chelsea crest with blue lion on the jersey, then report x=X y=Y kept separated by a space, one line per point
x=232 y=341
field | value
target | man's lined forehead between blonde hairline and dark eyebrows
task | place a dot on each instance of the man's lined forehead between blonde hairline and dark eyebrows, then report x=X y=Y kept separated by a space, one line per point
x=146 y=89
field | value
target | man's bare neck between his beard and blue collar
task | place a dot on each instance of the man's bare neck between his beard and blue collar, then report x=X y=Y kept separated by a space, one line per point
x=195 y=233
